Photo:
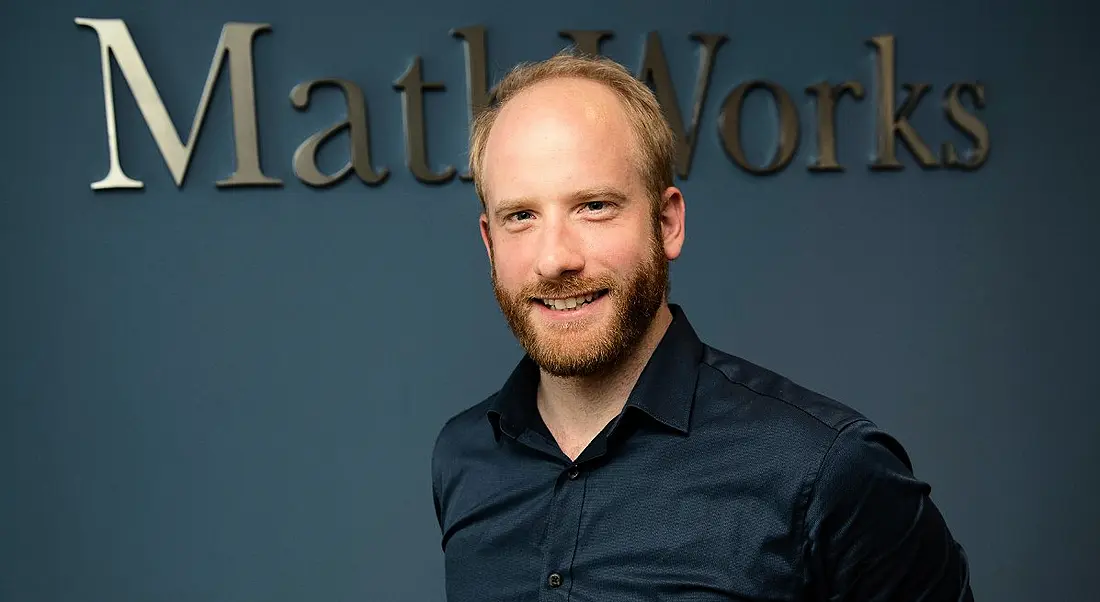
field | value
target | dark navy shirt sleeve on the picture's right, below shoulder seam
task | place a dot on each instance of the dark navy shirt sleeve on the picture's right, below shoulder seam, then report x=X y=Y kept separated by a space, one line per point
x=874 y=532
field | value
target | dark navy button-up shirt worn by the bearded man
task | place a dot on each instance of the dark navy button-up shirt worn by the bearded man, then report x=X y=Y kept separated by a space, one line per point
x=720 y=480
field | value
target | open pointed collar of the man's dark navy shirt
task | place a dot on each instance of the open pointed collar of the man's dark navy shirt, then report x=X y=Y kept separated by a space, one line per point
x=665 y=391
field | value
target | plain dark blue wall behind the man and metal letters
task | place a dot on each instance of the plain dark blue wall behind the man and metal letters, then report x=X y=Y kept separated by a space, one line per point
x=232 y=396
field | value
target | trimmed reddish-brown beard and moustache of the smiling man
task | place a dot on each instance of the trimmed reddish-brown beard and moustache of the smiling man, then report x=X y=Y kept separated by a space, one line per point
x=634 y=305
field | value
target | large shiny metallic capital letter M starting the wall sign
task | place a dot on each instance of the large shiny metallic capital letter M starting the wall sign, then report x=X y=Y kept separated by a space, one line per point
x=237 y=42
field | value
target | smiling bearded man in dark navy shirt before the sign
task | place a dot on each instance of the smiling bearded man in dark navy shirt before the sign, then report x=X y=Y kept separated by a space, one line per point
x=624 y=459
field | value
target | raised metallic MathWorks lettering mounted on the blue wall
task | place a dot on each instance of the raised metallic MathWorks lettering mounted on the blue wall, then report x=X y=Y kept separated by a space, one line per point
x=235 y=52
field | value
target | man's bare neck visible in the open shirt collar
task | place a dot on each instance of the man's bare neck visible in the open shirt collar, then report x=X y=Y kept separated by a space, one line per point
x=576 y=410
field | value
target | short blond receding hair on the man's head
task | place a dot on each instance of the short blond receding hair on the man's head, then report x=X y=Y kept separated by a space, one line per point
x=655 y=140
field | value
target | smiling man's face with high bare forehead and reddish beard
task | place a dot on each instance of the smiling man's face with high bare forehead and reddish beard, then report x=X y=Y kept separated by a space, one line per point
x=580 y=262
